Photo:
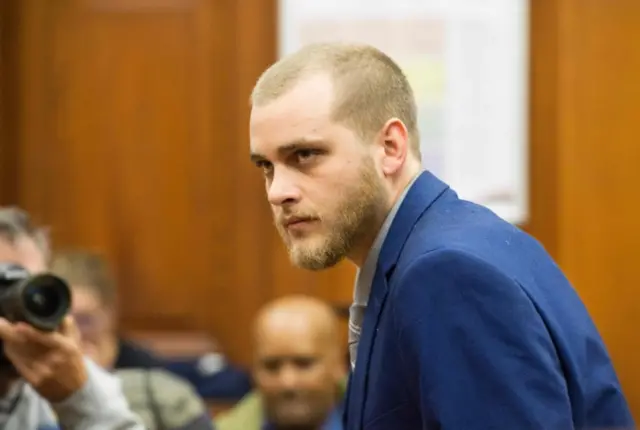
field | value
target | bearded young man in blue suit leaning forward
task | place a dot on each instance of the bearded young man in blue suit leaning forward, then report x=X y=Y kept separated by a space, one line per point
x=460 y=320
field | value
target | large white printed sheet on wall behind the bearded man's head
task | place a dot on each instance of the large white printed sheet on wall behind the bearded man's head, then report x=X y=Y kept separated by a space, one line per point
x=467 y=61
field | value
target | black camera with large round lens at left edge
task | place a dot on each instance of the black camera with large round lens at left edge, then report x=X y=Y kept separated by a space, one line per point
x=41 y=300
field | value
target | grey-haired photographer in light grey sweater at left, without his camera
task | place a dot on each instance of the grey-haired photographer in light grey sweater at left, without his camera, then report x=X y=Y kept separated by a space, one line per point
x=44 y=375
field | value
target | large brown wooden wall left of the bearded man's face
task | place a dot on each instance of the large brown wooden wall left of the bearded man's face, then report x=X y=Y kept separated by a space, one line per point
x=130 y=143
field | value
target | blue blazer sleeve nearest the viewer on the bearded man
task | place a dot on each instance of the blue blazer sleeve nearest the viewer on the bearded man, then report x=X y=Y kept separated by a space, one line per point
x=477 y=354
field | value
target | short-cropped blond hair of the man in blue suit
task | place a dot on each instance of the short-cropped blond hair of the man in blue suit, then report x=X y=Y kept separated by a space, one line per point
x=370 y=88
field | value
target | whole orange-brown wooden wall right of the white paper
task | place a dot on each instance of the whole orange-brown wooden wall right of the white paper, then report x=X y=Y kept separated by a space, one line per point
x=584 y=153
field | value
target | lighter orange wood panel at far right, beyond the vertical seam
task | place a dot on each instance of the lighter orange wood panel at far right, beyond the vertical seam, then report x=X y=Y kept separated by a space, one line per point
x=599 y=132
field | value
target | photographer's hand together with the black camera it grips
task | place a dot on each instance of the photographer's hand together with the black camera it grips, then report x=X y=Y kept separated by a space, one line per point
x=39 y=339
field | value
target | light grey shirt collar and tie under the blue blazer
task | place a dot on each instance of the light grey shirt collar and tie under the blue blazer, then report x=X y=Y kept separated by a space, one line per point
x=365 y=274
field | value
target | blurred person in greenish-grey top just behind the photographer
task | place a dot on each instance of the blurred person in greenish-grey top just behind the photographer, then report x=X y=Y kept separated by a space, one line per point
x=163 y=400
